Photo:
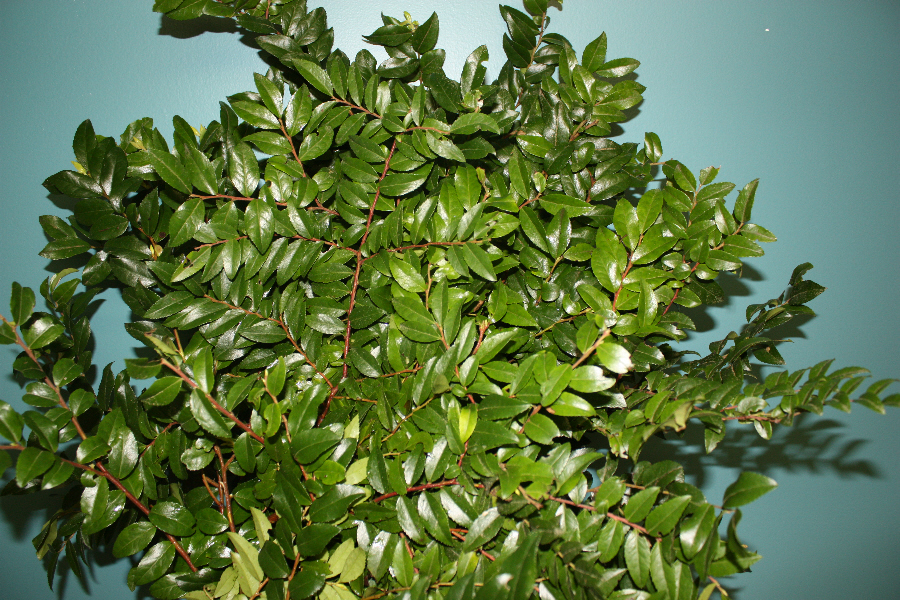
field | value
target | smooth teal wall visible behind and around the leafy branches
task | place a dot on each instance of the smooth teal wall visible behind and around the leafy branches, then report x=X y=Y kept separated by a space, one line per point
x=801 y=94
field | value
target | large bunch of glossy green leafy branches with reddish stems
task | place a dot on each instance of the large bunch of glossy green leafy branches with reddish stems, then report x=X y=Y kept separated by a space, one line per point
x=391 y=318
